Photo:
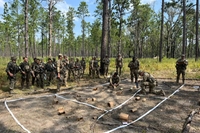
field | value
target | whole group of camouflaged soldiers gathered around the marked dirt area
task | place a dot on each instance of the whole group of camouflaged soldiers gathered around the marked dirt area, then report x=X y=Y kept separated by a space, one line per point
x=64 y=68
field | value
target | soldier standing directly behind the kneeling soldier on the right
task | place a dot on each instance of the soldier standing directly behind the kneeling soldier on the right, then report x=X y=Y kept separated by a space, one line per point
x=134 y=67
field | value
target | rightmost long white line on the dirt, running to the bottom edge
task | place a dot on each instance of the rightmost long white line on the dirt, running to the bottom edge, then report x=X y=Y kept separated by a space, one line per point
x=122 y=126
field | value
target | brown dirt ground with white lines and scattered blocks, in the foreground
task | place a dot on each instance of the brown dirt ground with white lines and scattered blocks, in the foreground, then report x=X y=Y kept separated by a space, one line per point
x=87 y=109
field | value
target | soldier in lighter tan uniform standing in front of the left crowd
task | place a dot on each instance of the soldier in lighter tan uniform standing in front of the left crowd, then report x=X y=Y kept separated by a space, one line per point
x=60 y=71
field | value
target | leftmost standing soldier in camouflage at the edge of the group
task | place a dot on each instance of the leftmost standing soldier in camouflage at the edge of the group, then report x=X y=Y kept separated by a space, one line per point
x=11 y=70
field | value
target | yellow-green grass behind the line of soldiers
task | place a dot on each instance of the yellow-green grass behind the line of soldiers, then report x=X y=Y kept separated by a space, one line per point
x=164 y=69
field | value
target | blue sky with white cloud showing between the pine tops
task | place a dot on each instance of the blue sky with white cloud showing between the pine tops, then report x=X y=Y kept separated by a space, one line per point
x=65 y=4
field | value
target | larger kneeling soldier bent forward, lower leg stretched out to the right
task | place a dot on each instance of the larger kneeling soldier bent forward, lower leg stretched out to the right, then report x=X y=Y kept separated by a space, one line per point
x=150 y=81
